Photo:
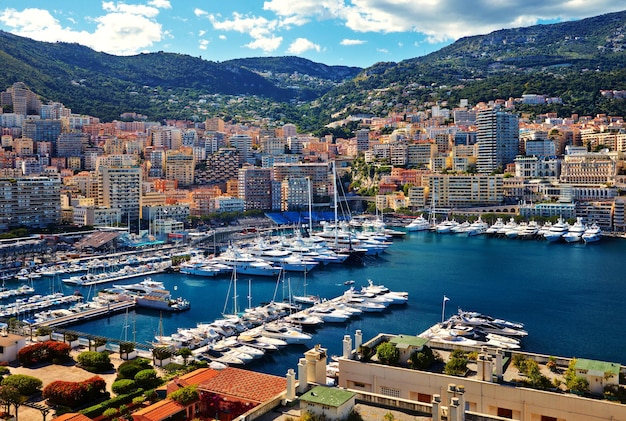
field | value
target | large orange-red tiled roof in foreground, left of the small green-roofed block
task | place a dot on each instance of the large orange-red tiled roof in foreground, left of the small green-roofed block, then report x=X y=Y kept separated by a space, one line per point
x=245 y=384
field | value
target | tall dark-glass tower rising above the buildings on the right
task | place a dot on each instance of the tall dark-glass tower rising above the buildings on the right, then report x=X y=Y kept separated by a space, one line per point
x=497 y=139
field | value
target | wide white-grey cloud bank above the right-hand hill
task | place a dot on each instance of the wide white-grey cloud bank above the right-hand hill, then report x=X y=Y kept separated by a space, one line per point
x=440 y=20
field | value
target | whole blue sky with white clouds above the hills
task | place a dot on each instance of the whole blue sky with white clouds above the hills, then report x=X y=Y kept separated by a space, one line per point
x=334 y=32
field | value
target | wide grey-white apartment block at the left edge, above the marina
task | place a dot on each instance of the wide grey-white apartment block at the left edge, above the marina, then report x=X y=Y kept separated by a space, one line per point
x=30 y=201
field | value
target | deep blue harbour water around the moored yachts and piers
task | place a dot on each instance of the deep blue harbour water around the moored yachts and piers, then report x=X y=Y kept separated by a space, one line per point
x=569 y=296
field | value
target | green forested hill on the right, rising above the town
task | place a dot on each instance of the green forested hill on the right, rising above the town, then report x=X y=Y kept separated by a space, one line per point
x=573 y=60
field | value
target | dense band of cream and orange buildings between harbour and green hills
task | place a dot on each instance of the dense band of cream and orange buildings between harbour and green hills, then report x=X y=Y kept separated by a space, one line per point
x=61 y=168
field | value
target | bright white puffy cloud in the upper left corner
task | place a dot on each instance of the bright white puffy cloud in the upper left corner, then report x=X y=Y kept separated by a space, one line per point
x=123 y=29
